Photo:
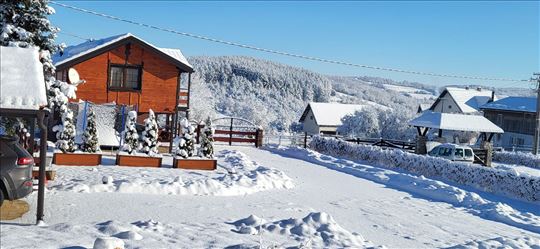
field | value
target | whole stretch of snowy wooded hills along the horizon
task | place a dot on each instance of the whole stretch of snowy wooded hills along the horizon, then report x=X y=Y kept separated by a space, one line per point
x=274 y=95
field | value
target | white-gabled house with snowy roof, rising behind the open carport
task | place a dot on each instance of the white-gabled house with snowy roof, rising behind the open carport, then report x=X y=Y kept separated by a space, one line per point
x=462 y=100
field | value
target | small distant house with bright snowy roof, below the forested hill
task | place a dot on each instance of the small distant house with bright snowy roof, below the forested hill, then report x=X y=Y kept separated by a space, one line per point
x=325 y=118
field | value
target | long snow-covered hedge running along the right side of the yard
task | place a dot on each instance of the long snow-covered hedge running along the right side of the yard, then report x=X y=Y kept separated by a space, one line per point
x=525 y=187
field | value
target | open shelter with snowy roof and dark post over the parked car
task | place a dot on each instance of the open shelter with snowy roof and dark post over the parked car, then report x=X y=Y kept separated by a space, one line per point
x=23 y=95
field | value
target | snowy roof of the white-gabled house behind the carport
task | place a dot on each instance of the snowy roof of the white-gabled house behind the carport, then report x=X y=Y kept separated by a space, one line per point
x=468 y=100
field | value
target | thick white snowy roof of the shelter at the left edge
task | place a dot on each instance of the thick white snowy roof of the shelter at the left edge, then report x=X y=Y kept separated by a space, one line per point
x=22 y=84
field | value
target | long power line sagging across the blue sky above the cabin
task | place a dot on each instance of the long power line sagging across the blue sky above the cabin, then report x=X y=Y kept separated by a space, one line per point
x=200 y=37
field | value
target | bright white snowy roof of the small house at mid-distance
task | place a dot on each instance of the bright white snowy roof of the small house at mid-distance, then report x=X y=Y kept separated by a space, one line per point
x=330 y=114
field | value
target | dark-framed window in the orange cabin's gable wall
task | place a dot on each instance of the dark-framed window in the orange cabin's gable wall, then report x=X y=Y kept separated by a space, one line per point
x=125 y=77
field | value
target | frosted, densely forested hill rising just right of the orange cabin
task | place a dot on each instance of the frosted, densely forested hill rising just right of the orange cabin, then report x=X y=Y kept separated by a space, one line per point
x=271 y=94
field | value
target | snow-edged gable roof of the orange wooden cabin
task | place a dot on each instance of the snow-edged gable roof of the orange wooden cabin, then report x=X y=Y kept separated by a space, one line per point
x=73 y=52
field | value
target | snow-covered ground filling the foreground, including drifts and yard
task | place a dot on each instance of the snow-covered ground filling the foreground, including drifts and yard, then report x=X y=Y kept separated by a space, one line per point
x=276 y=197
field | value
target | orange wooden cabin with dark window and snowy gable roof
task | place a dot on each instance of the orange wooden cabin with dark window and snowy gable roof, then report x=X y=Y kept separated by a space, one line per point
x=127 y=70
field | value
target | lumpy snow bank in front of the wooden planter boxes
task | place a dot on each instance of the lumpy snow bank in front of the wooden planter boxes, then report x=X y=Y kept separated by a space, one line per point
x=236 y=175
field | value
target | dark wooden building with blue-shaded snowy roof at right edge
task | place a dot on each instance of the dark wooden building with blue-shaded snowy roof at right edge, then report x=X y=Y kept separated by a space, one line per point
x=516 y=116
